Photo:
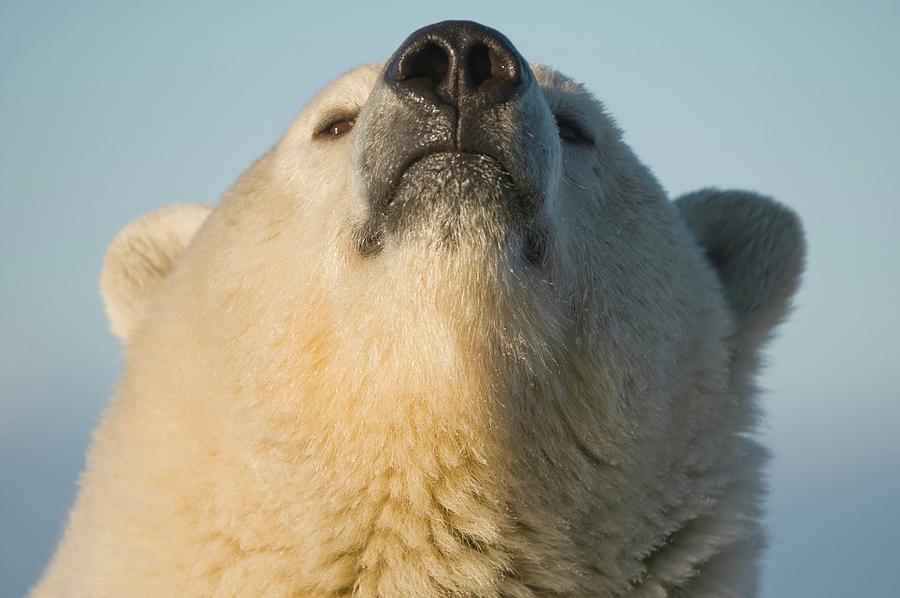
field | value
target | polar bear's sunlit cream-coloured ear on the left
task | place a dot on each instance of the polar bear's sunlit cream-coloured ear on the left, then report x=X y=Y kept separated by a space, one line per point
x=139 y=259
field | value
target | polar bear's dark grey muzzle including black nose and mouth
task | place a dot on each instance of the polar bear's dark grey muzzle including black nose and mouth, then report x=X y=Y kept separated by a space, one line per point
x=457 y=132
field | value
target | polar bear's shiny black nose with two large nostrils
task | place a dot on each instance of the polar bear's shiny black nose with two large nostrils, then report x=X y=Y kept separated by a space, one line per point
x=456 y=62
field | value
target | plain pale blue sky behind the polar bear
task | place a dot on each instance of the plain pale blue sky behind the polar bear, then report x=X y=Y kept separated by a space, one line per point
x=109 y=111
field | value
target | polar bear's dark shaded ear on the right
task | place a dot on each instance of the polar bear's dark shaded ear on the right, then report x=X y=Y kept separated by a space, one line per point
x=756 y=246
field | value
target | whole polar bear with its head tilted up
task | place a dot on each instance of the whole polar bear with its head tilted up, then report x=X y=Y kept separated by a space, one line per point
x=448 y=337
